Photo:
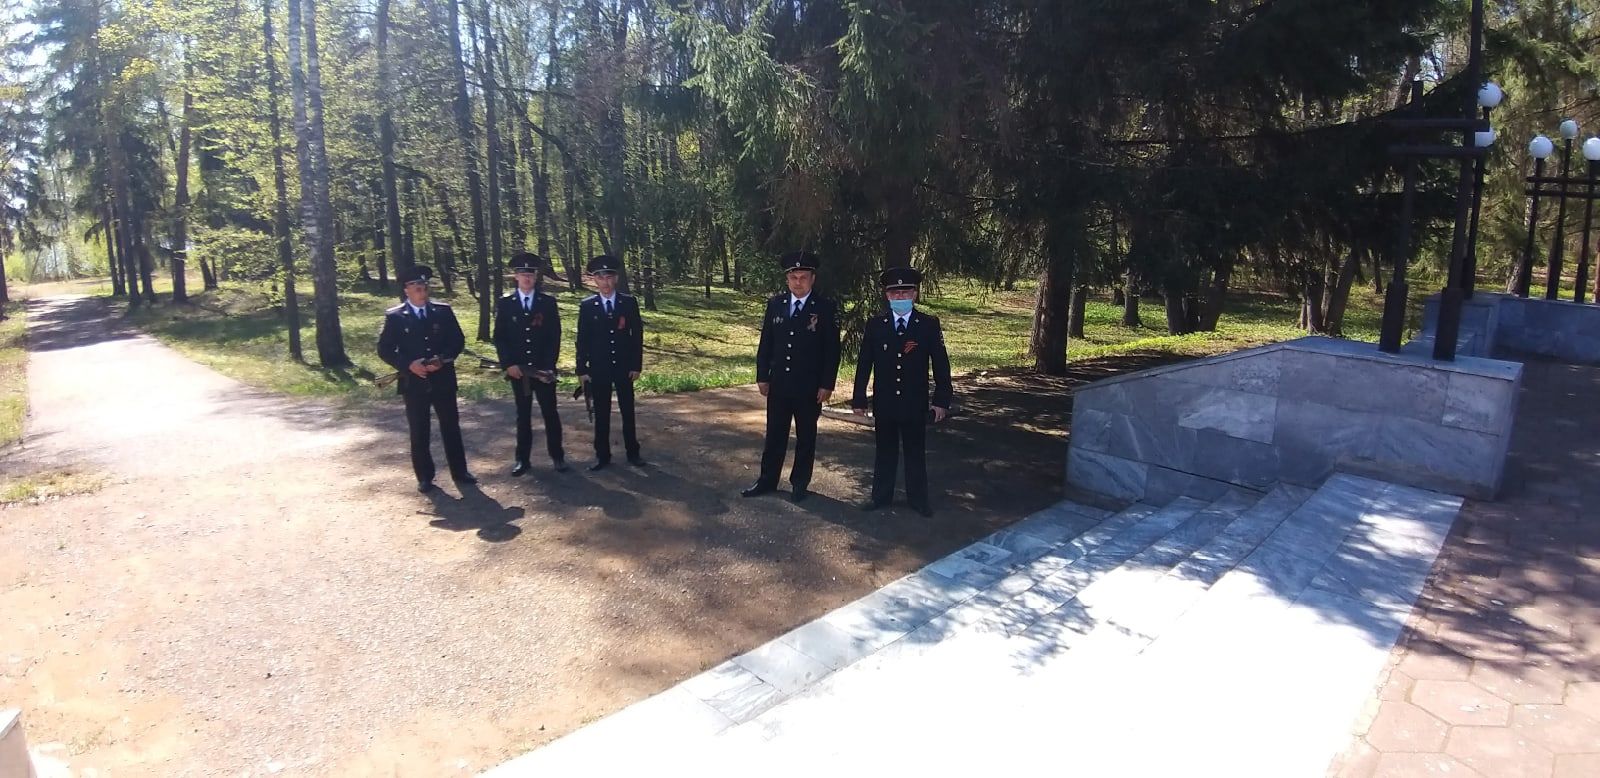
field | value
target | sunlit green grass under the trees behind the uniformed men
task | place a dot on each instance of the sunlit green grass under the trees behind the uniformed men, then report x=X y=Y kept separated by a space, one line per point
x=692 y=342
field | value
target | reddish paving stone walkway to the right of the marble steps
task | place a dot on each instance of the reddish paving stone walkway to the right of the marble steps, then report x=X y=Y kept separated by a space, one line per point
x=1498 y=675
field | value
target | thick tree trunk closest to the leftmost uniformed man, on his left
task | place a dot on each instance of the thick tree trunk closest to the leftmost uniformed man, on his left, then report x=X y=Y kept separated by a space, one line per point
x=316 y=207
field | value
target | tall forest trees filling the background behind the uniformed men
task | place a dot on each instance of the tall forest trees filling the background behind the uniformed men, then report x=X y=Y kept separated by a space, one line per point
x=1156 y=148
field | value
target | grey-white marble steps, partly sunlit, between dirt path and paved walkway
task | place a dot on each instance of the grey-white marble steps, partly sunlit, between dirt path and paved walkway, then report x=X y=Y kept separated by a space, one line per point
x=1230 y=638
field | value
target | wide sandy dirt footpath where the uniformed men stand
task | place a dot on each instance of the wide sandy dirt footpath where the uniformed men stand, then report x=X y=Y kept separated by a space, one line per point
x=258 y=590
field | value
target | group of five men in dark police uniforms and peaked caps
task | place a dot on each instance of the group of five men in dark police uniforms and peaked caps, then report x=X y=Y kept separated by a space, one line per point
x=796 y=369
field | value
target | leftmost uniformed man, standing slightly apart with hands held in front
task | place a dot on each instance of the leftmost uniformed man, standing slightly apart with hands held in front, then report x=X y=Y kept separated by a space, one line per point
x=422 y=340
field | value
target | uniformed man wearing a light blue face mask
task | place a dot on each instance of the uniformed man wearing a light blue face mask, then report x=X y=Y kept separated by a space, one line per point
x=902 y=348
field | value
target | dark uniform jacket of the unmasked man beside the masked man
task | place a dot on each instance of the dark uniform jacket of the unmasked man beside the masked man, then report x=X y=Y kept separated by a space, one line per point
x=799 y=355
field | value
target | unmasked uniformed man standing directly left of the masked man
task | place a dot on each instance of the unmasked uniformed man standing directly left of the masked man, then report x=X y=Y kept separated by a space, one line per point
x=796 y=369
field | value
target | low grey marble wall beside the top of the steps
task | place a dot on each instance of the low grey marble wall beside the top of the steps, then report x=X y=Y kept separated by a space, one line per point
x=1295 y=412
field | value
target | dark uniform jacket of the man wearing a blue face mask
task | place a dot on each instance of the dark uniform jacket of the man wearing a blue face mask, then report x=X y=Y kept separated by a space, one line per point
x=903 y=364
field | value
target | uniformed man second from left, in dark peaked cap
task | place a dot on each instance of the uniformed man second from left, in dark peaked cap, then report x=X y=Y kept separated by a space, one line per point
x=527 y=339
